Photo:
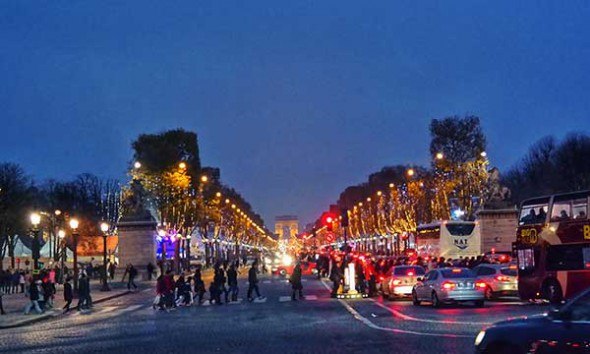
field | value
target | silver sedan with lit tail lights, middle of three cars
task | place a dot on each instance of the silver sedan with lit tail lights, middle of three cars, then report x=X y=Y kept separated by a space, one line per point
x=449 y=285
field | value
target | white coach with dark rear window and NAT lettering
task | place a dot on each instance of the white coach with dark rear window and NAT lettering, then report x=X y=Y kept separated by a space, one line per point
x=449 y=239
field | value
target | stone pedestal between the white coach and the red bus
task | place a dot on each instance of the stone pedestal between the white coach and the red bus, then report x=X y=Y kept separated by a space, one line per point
x=498 y=229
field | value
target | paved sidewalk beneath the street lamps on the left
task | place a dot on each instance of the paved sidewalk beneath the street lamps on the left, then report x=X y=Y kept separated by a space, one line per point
x=14 y=304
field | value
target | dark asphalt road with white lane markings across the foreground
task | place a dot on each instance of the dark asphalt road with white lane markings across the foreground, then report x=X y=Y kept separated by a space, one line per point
x=276 y=325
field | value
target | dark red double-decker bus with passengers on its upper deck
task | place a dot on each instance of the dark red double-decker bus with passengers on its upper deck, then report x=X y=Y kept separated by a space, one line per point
x=553 y=246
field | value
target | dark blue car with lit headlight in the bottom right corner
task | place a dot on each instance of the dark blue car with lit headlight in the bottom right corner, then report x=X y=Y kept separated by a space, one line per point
x=564 y=330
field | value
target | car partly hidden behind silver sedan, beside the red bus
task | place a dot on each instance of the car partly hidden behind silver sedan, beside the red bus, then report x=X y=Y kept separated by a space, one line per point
x=500 y=279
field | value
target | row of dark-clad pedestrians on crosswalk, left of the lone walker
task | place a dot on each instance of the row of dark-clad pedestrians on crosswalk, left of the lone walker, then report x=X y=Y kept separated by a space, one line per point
x=190 y=289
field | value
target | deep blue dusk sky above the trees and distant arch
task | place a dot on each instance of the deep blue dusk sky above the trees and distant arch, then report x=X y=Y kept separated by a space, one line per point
x=293 y=100
